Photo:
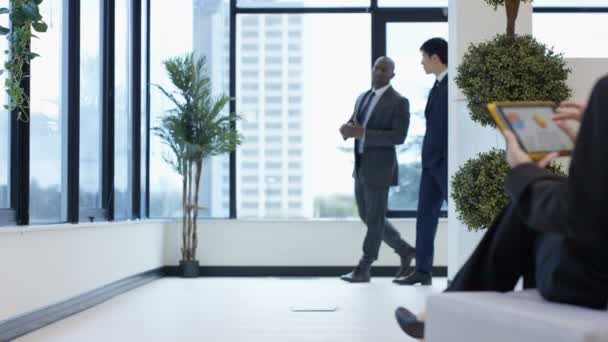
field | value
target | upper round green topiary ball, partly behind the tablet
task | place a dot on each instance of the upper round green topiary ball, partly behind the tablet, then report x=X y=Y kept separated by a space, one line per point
x=511 y=68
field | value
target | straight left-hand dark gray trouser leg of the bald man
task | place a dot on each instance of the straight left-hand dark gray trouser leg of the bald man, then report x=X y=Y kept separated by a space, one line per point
x=371 y=202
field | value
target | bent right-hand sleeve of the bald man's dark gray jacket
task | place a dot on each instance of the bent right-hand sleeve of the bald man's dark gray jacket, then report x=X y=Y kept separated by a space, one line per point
x=399 y=126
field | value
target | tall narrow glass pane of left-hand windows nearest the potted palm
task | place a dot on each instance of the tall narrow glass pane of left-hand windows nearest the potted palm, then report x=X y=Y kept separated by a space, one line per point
x=122 y=110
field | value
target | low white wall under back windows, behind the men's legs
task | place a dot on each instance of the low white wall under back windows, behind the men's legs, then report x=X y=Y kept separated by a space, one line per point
x=292 y=243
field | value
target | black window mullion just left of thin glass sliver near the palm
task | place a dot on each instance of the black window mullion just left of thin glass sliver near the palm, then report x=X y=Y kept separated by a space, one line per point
x=136 y=106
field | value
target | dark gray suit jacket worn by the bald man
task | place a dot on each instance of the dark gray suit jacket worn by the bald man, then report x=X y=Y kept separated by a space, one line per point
x=386 y=128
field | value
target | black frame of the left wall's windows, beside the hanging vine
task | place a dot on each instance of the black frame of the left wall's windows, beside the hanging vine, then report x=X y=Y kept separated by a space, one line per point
x=18 y=213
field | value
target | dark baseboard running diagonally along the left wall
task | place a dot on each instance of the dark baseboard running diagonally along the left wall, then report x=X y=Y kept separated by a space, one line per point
x=26 y=323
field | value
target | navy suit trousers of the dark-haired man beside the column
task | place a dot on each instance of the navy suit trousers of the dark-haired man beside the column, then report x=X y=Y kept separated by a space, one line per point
x=430 y=199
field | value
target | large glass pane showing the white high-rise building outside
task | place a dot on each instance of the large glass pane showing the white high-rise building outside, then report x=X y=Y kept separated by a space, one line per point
x=295 y=87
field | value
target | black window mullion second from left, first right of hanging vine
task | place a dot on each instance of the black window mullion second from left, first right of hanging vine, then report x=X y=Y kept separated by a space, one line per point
x=73 y=113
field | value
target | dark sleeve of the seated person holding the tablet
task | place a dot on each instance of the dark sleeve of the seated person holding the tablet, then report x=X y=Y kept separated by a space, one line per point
x=542 y=199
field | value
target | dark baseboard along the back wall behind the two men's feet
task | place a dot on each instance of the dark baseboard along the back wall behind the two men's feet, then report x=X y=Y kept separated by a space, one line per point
x=289 y=271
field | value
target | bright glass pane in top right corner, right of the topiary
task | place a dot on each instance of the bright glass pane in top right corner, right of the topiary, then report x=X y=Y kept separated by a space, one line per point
x=550 y=29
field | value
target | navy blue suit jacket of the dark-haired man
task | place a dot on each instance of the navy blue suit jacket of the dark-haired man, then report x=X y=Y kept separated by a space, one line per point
x=435 y=144
